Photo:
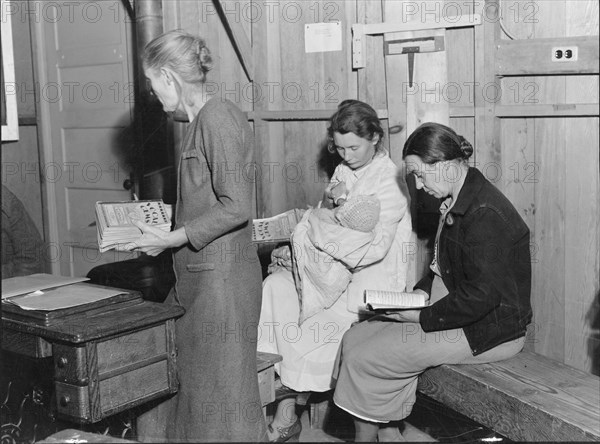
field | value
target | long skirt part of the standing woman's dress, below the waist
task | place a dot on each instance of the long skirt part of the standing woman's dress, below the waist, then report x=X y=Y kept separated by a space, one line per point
x=218 y=397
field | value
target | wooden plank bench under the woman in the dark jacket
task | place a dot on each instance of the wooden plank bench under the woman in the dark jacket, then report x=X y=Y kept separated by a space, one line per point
x=525 y=398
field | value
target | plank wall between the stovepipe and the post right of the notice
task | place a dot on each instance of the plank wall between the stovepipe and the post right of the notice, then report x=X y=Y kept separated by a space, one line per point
x=293 y=163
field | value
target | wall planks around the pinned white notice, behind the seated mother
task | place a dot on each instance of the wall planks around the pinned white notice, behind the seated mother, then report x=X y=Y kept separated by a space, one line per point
x=294 y=160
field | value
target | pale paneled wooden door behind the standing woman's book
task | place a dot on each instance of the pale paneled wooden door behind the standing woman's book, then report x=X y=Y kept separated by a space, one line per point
x=83 y=56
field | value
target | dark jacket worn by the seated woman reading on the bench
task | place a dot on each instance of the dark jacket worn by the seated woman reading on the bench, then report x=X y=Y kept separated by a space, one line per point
x=485 y=264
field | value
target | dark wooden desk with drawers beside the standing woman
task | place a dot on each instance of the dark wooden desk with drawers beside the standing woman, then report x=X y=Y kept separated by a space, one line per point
x=106 y=360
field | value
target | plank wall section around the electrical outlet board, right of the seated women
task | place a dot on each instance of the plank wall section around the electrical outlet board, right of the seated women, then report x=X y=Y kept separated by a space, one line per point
x=549 y=170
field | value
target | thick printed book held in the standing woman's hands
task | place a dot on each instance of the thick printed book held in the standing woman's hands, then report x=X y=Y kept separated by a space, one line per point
x=114 y=220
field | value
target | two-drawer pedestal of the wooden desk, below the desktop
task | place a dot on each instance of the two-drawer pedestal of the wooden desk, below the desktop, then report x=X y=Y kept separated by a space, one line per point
x=100 y=378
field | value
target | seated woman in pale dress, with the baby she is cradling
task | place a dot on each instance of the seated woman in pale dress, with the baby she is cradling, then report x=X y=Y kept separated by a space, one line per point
x=351 y=242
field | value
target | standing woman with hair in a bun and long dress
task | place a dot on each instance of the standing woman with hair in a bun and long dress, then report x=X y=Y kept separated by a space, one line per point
x=216 y=266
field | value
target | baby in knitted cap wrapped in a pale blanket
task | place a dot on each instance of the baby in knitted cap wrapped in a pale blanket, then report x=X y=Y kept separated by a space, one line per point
x=320 y=279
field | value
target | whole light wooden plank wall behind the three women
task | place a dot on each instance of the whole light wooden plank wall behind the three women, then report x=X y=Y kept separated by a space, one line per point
x=548 y=167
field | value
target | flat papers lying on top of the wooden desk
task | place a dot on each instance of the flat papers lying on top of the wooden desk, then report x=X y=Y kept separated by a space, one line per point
x=62 y=297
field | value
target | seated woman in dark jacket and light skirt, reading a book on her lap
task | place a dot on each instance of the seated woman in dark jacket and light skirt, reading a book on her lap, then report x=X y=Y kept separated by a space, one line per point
x=479 y=288
